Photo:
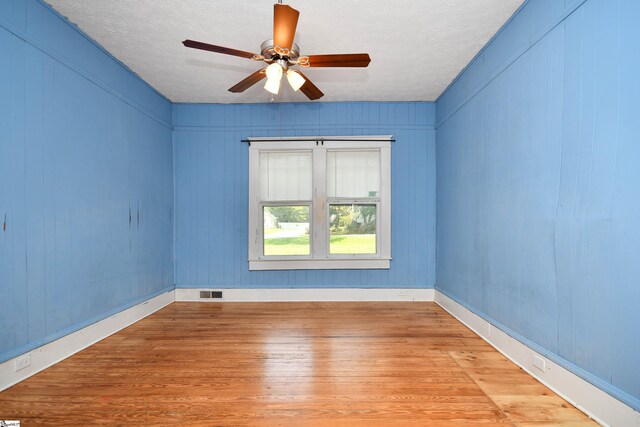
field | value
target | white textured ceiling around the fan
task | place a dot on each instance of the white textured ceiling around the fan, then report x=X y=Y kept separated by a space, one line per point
x=417 y=47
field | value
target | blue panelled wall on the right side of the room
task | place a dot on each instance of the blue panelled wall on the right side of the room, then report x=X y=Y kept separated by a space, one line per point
x=538 y=186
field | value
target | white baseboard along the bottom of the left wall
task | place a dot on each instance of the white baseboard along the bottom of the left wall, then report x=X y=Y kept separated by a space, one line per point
x=58 y=350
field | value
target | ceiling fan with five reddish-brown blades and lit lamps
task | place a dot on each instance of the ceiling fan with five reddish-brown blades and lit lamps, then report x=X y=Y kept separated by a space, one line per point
x=282 y=54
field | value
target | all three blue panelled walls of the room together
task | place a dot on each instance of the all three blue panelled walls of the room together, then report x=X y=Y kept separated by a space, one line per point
x=538 y=194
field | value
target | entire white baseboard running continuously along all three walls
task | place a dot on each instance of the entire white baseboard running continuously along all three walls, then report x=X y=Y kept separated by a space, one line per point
x=596 y=403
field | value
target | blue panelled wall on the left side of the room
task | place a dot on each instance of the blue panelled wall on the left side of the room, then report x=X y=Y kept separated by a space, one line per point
x=82 y=142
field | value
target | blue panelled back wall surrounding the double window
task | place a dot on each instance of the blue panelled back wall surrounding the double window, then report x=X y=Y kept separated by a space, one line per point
x=211 y=169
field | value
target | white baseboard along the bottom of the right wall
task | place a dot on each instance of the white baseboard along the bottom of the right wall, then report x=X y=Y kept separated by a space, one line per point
x=597 y=404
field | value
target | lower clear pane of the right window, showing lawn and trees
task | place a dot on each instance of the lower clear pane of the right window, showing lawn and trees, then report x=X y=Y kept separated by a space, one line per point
x=353 y=229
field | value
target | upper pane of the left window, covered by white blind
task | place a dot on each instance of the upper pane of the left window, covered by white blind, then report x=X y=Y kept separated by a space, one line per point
x=285 y=175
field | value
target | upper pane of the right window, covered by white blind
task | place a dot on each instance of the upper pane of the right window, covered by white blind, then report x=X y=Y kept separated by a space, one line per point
x=353 y=173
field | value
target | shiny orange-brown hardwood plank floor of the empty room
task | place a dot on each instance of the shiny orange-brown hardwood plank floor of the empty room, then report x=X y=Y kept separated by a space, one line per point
x=386 y=363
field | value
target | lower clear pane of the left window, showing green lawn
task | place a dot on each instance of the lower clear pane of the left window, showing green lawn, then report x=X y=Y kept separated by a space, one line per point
x=286 y=230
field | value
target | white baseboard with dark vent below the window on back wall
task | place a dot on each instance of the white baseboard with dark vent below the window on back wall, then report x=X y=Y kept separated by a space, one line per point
x=308 y=294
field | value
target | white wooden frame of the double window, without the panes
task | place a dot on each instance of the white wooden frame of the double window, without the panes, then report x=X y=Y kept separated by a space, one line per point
x=320 y=258
